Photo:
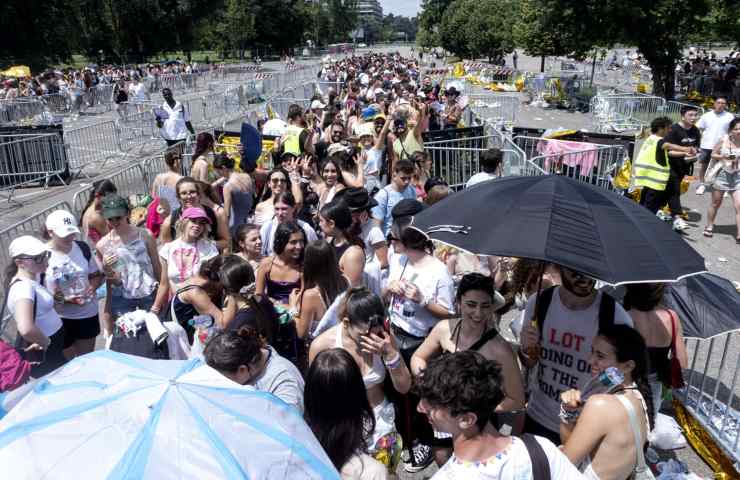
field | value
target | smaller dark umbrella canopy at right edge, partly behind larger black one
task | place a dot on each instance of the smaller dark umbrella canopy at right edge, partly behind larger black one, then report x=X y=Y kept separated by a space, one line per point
x=707 y=305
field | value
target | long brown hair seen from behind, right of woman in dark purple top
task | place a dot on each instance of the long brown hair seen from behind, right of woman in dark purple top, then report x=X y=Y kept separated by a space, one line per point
x=321 y=269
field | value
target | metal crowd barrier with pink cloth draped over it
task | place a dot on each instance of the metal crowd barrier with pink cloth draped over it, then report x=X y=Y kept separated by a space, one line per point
x=585 y=162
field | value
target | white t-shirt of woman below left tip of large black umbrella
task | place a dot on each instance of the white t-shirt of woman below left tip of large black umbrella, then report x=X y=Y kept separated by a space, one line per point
x=435 y=283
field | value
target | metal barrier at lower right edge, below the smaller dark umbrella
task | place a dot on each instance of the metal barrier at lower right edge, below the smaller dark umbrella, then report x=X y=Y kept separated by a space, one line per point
x=711 y=391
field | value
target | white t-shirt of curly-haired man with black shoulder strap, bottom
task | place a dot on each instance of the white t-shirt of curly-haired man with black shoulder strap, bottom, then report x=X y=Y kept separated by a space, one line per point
x=513 y=463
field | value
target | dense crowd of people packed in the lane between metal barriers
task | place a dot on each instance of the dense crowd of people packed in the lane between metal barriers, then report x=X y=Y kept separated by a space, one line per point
x=308 y=281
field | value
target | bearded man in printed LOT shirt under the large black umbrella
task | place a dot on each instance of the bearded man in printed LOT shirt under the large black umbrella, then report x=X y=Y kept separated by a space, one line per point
x=568 y=318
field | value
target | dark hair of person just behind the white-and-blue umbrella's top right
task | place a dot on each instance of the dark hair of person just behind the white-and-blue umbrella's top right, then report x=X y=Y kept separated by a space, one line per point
x=227 y=351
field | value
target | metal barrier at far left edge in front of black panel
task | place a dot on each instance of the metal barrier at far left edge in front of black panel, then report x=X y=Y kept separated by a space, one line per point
x=30 y=158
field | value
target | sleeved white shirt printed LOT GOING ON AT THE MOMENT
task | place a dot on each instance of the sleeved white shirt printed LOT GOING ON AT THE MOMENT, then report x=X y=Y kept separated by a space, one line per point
x=566 y=348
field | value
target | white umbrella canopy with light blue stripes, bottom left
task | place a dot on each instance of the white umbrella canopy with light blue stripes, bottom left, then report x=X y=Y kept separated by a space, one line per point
x=116 y=416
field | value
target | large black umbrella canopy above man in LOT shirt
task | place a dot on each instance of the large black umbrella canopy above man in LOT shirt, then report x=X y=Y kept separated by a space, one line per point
x=560 y=220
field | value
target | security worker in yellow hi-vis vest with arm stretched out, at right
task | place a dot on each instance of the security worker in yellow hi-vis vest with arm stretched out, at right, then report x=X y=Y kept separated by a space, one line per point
x=651 y=170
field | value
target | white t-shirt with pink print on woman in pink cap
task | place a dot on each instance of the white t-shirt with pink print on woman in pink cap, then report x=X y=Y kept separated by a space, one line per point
x=184 y=259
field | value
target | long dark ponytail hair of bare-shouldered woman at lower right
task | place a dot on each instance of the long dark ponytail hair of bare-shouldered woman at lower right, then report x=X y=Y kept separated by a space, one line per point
x=629 y=345
